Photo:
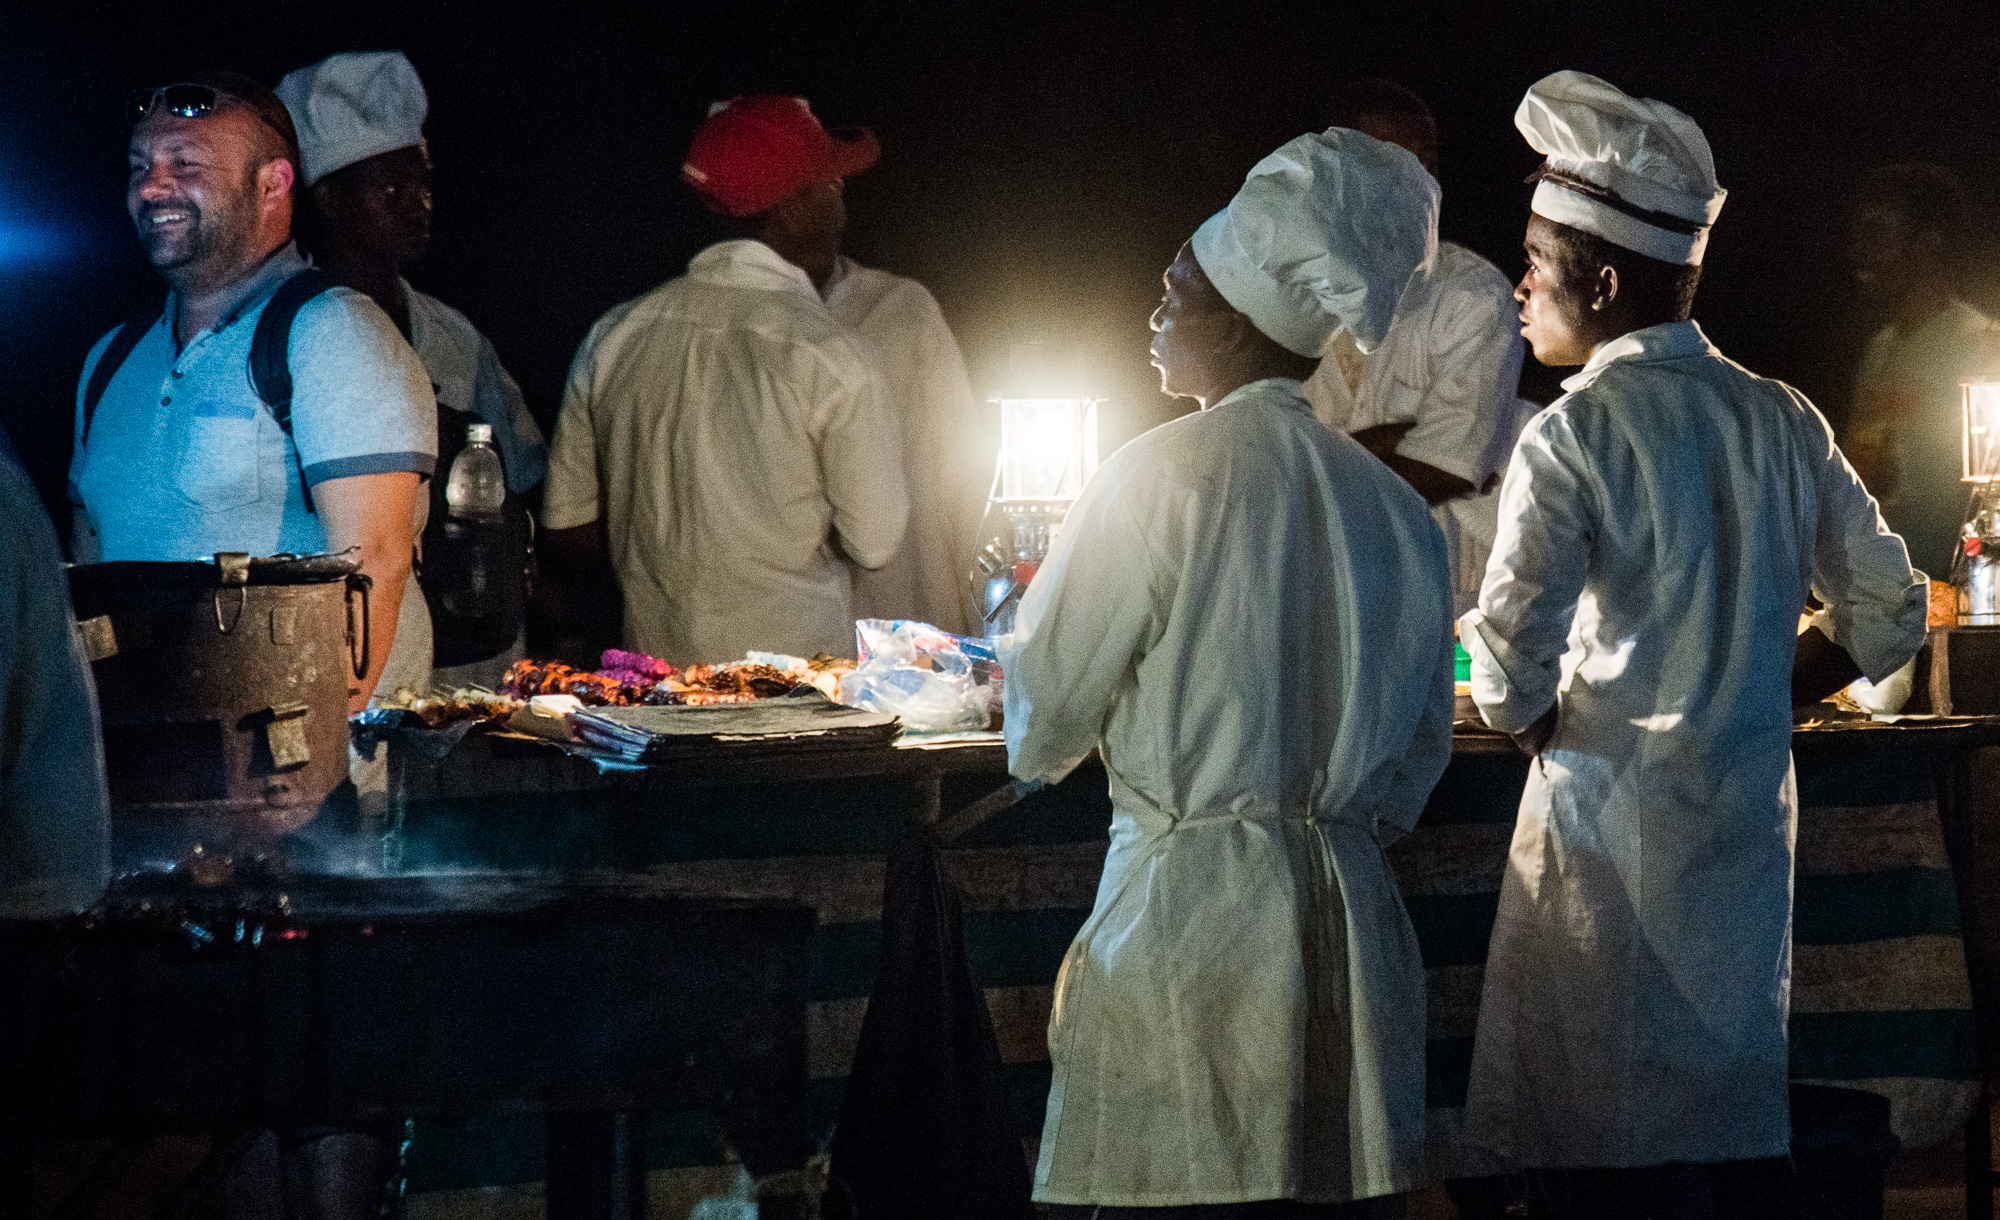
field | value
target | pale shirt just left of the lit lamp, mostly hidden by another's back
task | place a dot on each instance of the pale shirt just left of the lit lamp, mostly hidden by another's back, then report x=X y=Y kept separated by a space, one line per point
x=925 y=379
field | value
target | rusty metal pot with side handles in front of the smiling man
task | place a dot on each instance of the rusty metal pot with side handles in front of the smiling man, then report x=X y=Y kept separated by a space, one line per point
x=225 y=685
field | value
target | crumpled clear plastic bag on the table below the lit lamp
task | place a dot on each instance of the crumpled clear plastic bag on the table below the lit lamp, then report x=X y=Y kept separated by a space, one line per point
x=931 y=679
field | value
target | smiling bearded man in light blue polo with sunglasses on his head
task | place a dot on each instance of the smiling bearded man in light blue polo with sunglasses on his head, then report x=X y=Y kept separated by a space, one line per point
x=179 y=453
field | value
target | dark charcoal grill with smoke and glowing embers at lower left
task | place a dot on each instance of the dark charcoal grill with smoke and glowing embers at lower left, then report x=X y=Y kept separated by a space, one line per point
x=343 y=1001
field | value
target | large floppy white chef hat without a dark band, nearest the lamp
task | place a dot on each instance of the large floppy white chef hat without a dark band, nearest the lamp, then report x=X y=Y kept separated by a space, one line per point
x=1323 y=235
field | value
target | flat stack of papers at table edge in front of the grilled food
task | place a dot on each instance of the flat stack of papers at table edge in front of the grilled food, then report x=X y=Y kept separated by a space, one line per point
x=787 y=725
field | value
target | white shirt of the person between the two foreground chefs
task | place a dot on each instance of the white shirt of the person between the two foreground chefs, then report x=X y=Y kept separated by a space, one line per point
x=1451 y=365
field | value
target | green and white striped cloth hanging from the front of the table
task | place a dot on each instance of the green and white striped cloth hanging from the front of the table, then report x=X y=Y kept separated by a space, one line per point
x=1881 y=997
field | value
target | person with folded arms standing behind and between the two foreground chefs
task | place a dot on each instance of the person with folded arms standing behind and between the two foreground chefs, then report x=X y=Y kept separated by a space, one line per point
x=1437 y=399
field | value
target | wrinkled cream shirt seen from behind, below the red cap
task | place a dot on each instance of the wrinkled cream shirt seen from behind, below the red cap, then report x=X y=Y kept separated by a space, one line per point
x=737 y=443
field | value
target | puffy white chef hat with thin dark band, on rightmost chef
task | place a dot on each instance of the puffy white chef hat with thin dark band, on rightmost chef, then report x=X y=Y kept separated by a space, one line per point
x=1631 y=171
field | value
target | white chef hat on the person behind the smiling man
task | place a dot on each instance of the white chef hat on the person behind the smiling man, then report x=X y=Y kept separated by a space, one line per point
x=353 y=107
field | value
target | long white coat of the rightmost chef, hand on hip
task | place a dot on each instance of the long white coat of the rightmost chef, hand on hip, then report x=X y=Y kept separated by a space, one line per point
x=1659 y=531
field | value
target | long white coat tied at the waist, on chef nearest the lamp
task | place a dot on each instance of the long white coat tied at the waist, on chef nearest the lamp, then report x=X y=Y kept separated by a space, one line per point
x=1247 y=617
